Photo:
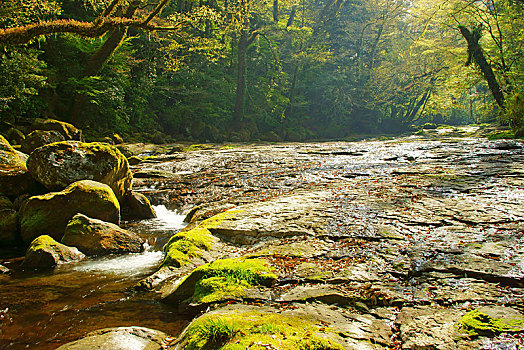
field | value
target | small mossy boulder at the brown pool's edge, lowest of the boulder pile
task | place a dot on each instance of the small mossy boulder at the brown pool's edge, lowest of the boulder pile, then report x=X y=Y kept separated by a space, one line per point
x=45 y=252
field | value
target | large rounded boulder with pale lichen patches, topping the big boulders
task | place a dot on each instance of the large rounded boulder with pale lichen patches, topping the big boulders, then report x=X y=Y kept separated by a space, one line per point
x=59 y=164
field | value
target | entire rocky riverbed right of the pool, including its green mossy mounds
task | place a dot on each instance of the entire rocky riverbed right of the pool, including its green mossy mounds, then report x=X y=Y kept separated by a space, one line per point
x=411 y=243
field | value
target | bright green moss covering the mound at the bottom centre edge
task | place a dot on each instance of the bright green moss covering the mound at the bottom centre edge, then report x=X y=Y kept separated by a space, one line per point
x=242 y=330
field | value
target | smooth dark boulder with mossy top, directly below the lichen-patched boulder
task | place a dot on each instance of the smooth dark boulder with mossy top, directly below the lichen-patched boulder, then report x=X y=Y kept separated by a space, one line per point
x=50 y=213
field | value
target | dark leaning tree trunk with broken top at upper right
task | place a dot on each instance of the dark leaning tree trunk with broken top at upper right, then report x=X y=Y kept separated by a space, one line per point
x=475 y=54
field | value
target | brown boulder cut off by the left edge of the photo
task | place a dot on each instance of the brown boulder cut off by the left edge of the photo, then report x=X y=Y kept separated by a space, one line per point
x=14 y=177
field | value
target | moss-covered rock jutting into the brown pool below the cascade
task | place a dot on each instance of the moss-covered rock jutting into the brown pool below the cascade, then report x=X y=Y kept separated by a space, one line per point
x=221 y=280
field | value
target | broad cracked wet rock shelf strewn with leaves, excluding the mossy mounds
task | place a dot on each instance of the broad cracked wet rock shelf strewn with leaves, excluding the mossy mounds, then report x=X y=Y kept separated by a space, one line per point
x=413 y=232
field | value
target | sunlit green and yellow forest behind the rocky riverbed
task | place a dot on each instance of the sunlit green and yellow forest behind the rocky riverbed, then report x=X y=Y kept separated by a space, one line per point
x=245 y=70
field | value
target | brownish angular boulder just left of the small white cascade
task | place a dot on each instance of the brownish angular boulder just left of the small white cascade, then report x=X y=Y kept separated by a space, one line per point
x=96 y=237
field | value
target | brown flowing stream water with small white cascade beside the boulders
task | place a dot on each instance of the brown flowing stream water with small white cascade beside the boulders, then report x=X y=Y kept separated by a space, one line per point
x=45 y=310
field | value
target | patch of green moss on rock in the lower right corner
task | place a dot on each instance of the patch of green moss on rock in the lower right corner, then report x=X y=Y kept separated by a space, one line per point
x=478 y=323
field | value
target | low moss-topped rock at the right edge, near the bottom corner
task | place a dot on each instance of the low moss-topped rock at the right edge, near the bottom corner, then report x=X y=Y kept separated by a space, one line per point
x=490 y=320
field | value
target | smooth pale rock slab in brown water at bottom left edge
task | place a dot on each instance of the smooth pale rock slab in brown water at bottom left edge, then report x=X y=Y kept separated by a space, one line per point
x=121 y=338
